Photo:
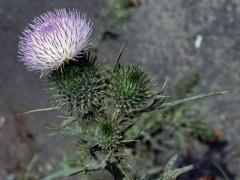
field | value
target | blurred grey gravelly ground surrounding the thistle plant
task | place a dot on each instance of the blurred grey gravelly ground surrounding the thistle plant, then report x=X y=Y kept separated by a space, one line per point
x=169 y=38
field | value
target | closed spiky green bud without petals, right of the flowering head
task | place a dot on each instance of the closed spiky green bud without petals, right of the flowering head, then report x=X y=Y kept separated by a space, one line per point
x=131 y=88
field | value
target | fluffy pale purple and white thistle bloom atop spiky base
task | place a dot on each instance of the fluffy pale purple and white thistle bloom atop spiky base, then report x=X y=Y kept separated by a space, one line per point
x=54 y=38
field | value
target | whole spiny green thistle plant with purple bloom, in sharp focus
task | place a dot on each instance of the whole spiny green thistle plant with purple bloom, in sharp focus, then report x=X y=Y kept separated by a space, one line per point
x=102 y=103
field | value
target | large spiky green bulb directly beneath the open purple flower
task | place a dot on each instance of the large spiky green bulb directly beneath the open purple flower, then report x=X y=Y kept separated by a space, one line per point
x=80 y=87
